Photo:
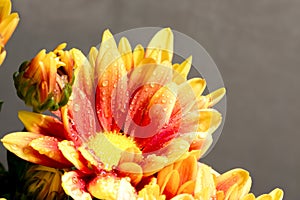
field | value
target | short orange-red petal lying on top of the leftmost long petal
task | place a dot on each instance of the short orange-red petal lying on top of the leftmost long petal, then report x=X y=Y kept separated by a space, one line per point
x=48 y=146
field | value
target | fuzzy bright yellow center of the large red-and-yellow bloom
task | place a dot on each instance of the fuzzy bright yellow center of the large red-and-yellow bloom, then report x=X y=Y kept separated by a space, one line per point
x=109 y=146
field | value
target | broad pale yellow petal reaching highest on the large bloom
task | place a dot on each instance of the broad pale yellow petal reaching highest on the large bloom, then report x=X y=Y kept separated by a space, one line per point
x=162 y=40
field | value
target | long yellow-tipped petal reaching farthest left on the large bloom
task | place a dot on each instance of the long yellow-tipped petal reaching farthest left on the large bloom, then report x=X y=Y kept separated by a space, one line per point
x=18 y=143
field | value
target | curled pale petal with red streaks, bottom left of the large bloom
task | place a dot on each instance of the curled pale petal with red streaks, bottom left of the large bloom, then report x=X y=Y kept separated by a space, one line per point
x=74 y=185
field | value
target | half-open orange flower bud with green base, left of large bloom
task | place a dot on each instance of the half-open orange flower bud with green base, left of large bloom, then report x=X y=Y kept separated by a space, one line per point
x=45 y=83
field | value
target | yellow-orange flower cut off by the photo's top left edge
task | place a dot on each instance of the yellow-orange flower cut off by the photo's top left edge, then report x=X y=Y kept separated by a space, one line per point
x=8 y=24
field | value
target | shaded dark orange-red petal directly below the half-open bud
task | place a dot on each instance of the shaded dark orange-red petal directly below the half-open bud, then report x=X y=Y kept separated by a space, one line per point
x=43 y=124
